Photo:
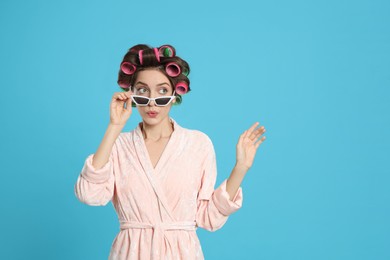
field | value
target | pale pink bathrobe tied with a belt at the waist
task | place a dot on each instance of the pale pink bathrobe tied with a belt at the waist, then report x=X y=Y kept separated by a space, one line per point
x=159 y=208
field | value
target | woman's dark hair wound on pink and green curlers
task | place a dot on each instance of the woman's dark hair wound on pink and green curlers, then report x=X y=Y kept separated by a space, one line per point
x=163 y=58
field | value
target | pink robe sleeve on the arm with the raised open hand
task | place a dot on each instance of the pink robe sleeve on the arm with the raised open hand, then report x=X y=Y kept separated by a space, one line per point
x=214 y=206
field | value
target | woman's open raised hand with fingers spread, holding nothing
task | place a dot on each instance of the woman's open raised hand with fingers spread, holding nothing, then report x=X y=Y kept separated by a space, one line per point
x=247 y=146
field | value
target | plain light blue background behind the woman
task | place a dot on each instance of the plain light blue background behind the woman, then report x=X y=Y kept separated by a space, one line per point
x=315 y=73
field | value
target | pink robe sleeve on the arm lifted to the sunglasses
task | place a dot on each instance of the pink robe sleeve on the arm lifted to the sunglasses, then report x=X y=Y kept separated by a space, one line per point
x=95 y=187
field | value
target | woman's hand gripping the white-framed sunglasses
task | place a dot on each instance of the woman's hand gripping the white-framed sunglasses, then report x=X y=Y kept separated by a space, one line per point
x=119 y=114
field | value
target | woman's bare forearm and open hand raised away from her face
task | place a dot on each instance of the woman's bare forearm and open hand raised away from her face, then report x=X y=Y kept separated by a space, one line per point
x=246 y=150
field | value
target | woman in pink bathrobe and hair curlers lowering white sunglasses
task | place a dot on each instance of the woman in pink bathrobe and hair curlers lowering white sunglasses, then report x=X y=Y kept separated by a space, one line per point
x=160 y=177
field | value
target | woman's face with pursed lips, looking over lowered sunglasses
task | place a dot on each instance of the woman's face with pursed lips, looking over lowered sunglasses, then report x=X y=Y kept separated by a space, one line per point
x=152 y=83
